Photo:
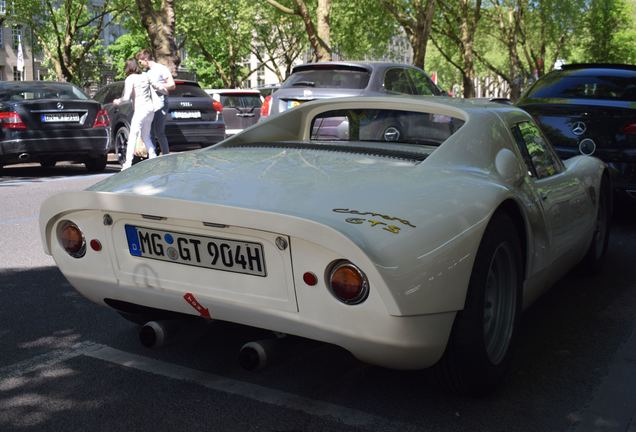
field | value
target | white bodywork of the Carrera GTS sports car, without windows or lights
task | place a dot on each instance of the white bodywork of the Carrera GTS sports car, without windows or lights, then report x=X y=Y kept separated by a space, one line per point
x=412 y=227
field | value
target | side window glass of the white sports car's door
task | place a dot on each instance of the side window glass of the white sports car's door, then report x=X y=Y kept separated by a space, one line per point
x=538 y=154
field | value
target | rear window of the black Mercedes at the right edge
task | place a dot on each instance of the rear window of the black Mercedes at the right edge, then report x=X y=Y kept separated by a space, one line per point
x=585 y=87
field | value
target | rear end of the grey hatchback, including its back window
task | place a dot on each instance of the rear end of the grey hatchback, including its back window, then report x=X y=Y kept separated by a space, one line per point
x=318 y=81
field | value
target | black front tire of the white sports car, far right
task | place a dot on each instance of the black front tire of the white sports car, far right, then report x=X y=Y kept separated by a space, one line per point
x=595 y=256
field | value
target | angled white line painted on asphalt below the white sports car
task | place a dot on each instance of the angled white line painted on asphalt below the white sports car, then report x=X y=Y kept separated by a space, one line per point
x=347 y=416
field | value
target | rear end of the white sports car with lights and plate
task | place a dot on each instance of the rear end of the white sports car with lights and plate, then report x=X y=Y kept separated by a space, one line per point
x=256 y=268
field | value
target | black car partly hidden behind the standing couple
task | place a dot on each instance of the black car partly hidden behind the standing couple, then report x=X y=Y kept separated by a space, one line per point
x=194 y=120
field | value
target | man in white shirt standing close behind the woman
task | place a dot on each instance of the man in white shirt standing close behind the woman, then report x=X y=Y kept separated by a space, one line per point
x=163 y=82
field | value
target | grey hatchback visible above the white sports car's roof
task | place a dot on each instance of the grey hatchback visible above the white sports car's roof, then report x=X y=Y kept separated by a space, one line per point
x=340 y=79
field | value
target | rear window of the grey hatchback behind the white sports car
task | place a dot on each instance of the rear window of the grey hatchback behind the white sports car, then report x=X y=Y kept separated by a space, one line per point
x=328 y=78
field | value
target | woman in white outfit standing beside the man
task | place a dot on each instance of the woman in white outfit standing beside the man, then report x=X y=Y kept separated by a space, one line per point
x=137 y=87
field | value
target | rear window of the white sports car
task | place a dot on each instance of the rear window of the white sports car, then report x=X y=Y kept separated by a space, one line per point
x=383 y=125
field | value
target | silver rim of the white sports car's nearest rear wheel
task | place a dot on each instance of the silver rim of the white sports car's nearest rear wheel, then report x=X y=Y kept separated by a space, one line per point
x=500 y=303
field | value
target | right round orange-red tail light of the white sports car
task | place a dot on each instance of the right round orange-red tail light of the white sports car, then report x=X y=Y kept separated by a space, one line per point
x=347 y=282
